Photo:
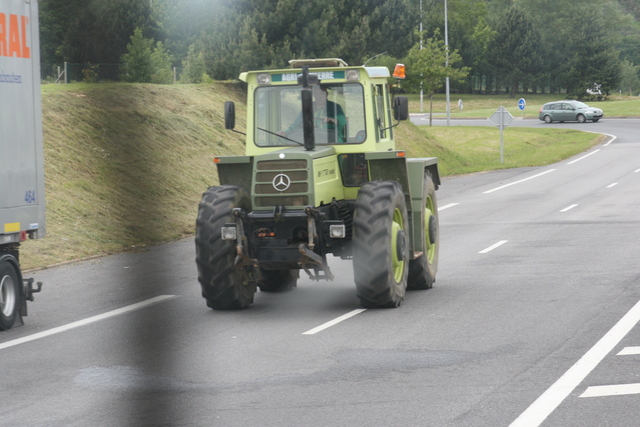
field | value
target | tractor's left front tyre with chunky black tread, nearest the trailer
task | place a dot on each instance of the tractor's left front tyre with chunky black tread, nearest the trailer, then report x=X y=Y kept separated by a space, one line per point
x=223 y=286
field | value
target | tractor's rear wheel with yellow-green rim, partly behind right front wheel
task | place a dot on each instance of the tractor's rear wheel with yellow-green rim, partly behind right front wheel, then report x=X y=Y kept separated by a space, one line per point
x=422 y=270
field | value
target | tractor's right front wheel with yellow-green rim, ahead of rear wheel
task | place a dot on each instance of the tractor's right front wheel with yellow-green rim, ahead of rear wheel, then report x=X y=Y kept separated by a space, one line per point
x=380 y=248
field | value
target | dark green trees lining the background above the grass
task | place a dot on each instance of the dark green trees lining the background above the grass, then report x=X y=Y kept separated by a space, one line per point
x=539 y=46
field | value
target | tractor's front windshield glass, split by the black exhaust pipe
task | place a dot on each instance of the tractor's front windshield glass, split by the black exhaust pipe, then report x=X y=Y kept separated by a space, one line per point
x=338 y=115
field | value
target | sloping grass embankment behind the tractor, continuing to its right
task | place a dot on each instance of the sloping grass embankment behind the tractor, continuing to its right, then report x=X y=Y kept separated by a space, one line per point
x=125 y=165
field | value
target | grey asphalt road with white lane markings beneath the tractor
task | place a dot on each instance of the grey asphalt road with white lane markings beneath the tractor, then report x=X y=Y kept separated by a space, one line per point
x=533 y=321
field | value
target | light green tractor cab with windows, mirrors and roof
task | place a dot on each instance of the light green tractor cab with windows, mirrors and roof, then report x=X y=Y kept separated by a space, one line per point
x=350 y=107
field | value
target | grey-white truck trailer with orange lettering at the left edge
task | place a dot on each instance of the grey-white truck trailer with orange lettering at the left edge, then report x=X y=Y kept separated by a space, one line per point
x=22 y=207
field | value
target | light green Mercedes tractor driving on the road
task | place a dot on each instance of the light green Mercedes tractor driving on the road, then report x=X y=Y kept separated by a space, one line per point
x=321 y=175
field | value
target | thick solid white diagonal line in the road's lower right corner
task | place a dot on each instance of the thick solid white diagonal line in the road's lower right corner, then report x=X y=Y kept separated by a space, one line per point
x=539 y=410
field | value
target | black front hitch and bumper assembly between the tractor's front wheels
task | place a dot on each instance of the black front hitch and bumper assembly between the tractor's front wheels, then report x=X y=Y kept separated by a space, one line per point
x=276 y=253
